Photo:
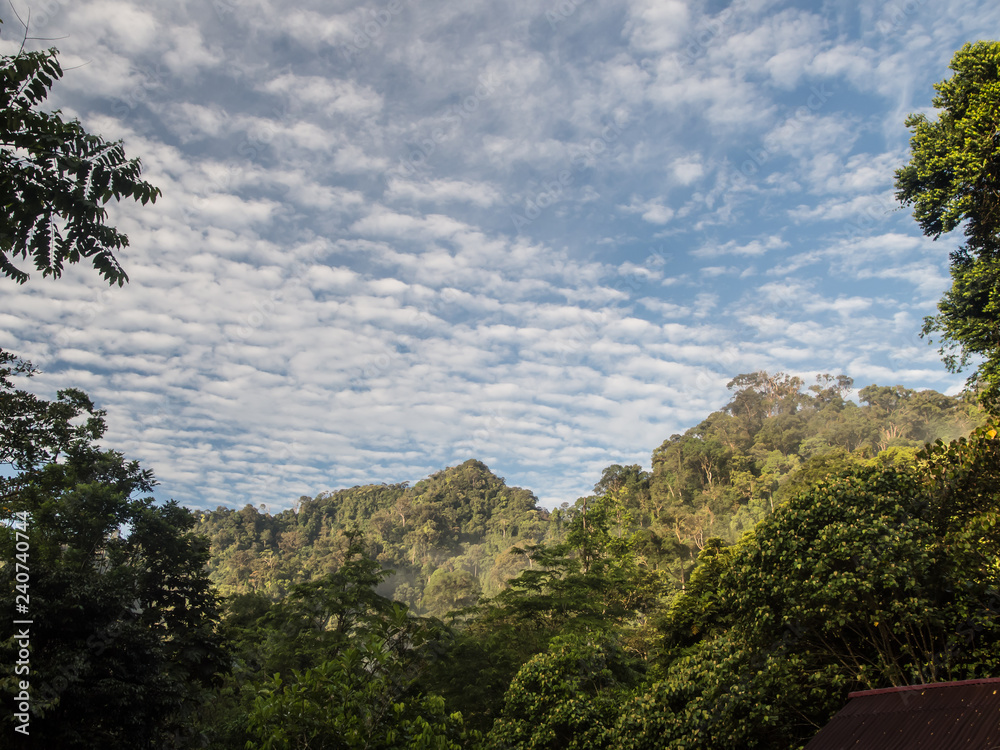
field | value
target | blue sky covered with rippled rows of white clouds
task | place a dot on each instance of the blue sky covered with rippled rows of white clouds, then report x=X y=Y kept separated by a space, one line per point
x=395 y=235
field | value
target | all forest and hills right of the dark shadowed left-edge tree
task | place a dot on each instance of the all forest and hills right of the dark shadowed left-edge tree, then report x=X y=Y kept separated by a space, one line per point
x=792 y=547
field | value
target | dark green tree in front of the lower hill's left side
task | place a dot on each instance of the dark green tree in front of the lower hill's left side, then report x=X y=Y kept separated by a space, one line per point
x=332 y=665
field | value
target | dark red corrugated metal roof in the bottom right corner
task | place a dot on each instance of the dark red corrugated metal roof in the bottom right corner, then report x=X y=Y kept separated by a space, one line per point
x=941 y=716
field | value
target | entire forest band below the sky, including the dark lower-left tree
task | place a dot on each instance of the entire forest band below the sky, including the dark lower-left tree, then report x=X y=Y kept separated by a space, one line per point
x=791 y=547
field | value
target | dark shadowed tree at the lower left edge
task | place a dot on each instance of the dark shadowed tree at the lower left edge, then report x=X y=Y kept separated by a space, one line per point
x=122 y=634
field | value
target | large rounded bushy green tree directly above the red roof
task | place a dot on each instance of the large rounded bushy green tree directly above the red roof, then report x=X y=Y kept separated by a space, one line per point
x=872 y=575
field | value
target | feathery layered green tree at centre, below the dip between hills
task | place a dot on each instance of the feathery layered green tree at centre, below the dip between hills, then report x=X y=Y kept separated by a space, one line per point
x=591 y=583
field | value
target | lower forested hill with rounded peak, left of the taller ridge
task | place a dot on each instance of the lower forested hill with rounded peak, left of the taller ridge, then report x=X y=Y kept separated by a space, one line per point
x=447 y=539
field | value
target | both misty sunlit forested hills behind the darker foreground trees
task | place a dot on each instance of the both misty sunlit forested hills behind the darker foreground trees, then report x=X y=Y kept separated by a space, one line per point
x=463 y=532
